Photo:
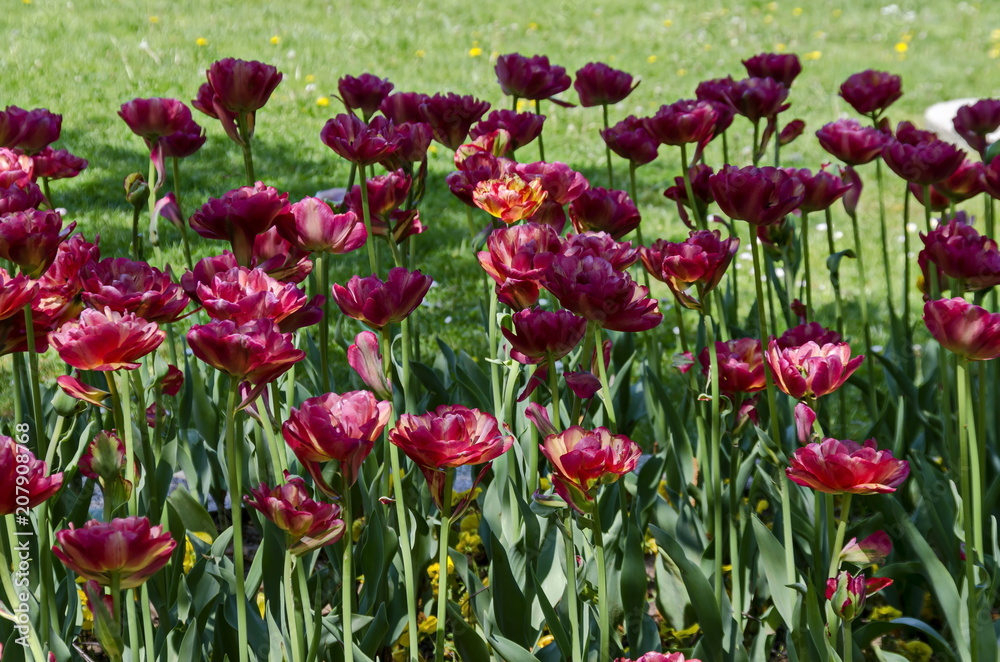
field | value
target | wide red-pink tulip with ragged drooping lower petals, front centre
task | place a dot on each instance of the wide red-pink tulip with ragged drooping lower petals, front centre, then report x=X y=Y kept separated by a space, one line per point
x=448 y=437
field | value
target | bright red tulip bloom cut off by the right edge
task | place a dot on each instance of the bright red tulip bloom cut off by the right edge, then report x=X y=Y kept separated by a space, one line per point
x=964 y=328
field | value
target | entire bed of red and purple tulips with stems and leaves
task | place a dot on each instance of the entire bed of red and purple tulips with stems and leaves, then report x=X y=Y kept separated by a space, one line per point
x=216 y=374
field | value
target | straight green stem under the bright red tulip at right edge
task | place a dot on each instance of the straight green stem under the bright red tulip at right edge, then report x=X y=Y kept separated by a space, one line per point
x=966 y=465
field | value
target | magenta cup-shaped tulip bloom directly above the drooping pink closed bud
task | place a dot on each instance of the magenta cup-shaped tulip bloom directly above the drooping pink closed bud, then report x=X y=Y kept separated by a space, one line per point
x=380 y=303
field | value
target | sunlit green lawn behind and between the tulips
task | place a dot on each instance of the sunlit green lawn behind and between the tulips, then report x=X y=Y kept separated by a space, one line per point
x=83 y=58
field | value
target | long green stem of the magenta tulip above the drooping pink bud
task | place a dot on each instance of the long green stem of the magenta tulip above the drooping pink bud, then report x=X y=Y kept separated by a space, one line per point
x=395 y=465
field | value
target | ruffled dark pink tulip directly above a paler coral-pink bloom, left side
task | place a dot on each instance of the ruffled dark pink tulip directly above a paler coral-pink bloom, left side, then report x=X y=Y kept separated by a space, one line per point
x=133 y=287
